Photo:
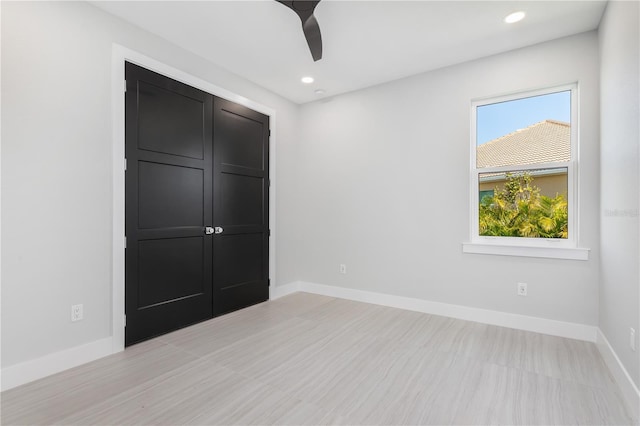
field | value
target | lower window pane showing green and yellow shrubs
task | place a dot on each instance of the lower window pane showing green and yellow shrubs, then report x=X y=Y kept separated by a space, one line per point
x=530 y=203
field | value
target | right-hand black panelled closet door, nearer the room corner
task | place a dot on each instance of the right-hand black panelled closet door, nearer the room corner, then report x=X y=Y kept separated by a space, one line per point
x=240 y=206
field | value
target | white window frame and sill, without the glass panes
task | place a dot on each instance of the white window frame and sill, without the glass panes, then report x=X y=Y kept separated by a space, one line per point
x=565 y=248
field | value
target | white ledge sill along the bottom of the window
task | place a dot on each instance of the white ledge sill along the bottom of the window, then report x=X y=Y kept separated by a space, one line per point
x=527 y=251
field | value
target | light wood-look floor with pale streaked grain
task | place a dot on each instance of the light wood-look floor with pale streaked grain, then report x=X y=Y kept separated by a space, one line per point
x=308 y=359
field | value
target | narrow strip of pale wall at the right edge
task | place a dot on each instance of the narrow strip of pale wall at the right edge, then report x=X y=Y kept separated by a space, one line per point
x=620 y=181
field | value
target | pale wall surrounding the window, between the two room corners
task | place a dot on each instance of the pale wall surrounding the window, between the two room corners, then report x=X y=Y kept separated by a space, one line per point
x=383 y=174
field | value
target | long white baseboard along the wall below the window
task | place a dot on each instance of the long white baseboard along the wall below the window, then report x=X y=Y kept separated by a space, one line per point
x=485 y=316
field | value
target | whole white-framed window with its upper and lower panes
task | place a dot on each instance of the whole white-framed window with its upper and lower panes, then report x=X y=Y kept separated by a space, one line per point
x=523 y=165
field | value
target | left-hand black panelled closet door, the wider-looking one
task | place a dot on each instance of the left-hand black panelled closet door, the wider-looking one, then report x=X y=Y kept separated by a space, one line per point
x=169 y=195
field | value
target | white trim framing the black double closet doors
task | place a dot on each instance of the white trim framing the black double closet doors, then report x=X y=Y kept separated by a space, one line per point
x=119 y=55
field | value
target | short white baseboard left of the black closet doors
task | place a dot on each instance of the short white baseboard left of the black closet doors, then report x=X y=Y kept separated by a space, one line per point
x=28 y=371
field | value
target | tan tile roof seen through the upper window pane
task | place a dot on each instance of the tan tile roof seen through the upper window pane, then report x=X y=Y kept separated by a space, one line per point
x=544 y=142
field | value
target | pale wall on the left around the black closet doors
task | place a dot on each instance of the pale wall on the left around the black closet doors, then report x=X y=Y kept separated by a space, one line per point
x=57 y=168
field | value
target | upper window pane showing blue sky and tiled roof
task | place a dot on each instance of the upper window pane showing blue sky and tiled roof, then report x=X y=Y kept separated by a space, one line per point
x=529 y=130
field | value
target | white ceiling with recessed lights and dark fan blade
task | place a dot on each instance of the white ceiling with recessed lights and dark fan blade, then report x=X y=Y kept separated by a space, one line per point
x=364 y=42
